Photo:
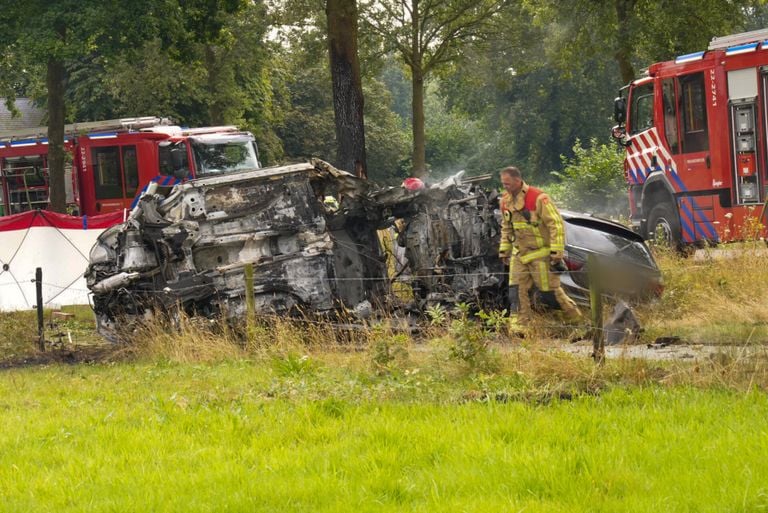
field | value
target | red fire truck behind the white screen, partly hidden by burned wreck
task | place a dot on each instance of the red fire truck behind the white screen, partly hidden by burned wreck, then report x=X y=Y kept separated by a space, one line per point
x=110 y=161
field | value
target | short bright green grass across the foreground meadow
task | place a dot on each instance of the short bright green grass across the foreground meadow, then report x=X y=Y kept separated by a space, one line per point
x=253 y=436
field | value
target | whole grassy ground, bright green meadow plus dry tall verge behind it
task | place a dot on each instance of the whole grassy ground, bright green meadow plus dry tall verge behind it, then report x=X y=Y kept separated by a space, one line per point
x=303 y=417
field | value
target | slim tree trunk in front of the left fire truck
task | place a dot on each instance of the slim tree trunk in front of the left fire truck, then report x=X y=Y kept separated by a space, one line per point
x=54 y=80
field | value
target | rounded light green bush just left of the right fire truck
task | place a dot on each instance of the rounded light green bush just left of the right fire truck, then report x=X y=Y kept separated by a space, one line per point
x=592 y=180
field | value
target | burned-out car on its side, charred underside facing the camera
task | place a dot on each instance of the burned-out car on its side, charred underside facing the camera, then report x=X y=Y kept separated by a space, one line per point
x=190 y=250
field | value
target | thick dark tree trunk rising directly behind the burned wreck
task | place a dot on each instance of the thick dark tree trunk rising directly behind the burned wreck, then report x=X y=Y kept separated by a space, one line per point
x=347 y=86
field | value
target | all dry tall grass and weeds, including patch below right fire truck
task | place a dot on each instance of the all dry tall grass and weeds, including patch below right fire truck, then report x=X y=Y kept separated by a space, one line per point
x=709 y=299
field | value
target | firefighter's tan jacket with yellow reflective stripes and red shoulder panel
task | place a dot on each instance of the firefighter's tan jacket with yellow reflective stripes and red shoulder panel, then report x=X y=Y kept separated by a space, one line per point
x=531 y=226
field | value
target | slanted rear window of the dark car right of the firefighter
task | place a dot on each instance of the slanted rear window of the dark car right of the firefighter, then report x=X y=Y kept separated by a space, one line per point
x=597 y=239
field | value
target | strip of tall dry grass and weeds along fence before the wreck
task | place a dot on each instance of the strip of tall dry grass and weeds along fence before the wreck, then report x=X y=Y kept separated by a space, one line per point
x=460 y=351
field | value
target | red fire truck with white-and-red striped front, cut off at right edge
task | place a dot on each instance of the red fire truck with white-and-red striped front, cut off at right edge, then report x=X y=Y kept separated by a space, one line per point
x=696 y=140
